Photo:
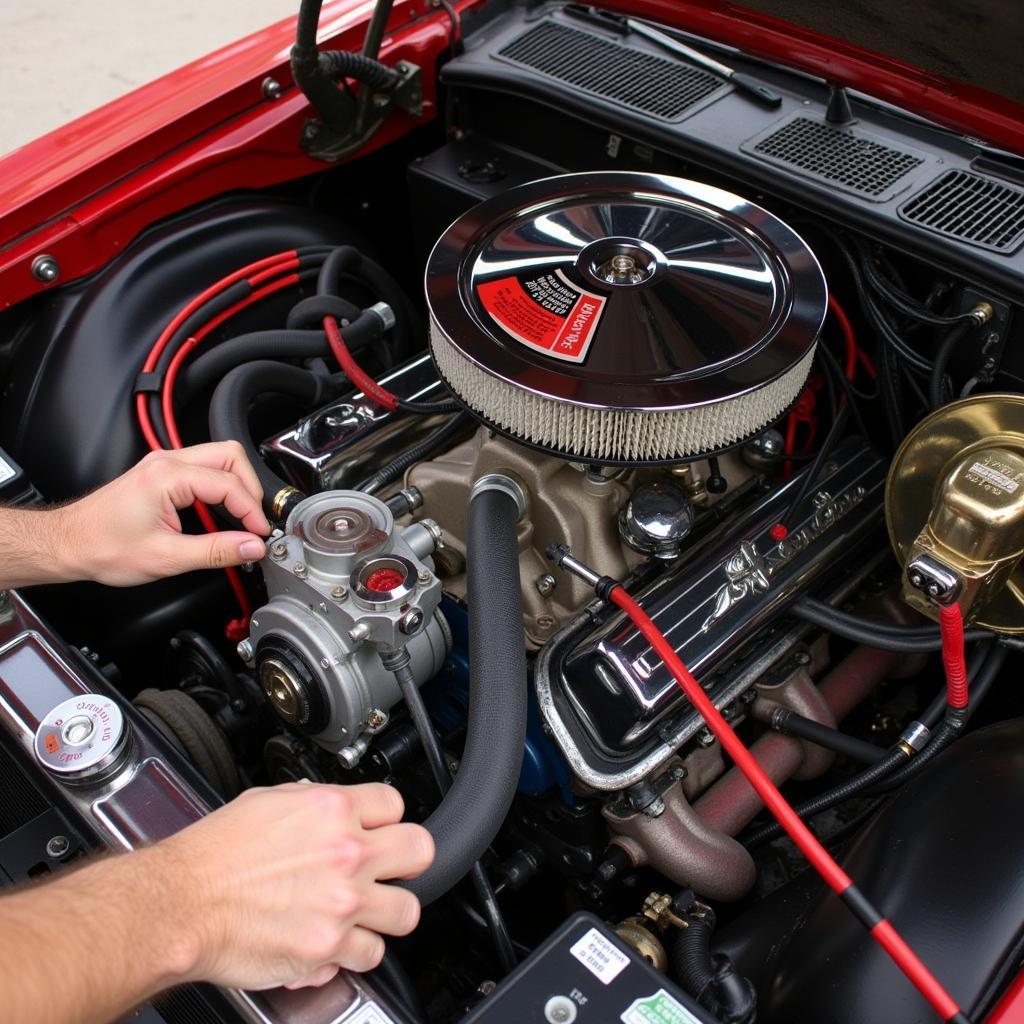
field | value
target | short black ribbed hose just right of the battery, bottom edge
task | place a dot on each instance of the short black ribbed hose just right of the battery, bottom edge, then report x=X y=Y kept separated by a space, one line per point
x=711 y=978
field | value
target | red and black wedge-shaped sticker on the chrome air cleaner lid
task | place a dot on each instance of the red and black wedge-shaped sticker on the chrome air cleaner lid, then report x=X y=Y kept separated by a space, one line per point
x=545 y=312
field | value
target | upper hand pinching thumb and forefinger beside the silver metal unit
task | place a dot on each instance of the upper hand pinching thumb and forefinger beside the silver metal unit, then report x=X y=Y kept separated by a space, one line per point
x=129 y=532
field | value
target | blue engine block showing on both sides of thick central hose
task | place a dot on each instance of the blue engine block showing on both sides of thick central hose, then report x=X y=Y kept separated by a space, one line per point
x=447 y=697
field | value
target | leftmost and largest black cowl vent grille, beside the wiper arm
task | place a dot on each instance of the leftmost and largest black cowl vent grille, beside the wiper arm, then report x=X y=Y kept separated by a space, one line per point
x=652 y=84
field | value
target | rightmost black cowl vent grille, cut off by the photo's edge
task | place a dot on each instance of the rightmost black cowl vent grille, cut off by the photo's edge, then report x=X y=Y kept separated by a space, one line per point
x=976 y=210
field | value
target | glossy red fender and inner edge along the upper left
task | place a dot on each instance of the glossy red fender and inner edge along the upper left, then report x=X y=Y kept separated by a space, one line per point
x=84 y=192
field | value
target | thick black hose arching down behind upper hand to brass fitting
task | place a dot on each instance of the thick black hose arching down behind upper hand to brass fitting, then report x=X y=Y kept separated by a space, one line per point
x=234 y=396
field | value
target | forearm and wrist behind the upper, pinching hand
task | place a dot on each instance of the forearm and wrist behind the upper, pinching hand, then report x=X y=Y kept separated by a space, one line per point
x=36 y=545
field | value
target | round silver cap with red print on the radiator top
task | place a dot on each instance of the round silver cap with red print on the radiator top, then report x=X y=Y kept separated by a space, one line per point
x=82 y=738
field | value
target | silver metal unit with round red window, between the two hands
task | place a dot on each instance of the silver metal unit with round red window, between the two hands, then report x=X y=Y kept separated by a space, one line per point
x=346 y=587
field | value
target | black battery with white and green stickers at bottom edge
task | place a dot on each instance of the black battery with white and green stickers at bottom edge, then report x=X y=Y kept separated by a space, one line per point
x=585 y=974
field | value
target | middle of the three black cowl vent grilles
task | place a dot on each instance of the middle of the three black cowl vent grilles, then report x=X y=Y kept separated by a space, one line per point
x=838 y=156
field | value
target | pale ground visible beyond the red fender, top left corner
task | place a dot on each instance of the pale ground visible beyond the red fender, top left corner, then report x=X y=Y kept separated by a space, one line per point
x=62 y=59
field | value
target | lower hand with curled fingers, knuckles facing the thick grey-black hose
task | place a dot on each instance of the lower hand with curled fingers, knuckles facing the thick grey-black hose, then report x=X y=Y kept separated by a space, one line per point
x=285 y=885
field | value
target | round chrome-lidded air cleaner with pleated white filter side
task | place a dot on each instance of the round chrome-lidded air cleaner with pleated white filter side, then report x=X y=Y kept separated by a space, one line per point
x=624 y=318
